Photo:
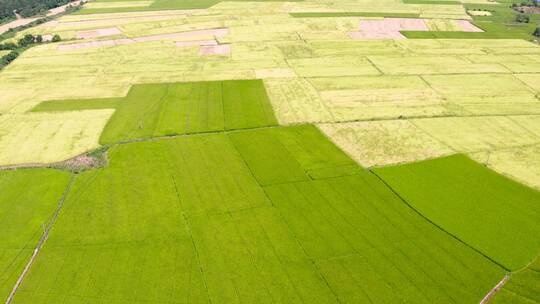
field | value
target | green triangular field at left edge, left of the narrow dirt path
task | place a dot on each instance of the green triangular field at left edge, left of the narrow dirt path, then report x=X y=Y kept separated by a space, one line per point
x=29 y=199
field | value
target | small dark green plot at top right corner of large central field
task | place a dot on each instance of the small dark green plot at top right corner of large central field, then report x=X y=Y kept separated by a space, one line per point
x=280 y=155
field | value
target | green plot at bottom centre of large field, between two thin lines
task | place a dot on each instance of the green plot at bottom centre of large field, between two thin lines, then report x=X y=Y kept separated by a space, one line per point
x=251 y=256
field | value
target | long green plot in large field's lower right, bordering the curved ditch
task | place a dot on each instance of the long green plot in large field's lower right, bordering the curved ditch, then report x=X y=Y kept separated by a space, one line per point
x=368 y=244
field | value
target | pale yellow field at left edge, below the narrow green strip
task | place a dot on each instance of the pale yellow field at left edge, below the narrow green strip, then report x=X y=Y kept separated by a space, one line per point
x=49 y=137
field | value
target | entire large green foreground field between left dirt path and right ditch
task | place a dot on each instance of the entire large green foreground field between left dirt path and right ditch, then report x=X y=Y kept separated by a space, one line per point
x=186 y=220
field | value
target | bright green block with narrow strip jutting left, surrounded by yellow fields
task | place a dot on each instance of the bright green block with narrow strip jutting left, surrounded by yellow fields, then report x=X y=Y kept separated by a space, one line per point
x=170 y=109
